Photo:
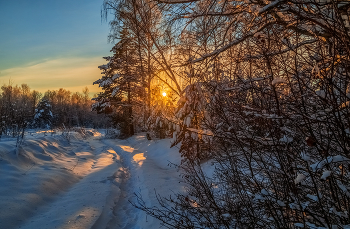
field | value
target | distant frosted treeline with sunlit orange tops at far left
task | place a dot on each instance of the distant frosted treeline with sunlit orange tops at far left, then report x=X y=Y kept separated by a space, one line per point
x=22 y=108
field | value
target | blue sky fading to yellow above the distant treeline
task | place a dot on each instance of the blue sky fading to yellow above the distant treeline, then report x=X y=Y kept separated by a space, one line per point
x=52 y=44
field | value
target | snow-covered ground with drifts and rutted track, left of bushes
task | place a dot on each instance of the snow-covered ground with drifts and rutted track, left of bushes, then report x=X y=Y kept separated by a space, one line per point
x=83 y=181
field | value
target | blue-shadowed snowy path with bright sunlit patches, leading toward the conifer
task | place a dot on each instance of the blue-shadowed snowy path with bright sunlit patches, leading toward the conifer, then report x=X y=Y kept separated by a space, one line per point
x=146 y=167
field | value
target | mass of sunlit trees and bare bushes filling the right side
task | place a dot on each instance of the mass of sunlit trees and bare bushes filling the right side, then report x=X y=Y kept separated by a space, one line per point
x=259 y=88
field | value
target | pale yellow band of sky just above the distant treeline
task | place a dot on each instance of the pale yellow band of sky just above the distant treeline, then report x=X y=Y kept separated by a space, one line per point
x=73 y=74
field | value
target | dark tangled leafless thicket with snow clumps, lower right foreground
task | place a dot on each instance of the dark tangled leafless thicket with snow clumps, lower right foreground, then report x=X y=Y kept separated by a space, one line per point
x=269 y=170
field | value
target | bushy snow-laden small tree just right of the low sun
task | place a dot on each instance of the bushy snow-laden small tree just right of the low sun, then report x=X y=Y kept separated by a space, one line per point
x=191 y=123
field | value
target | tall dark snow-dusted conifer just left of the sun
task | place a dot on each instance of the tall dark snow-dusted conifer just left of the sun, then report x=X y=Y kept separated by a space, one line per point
x=120 y=83
